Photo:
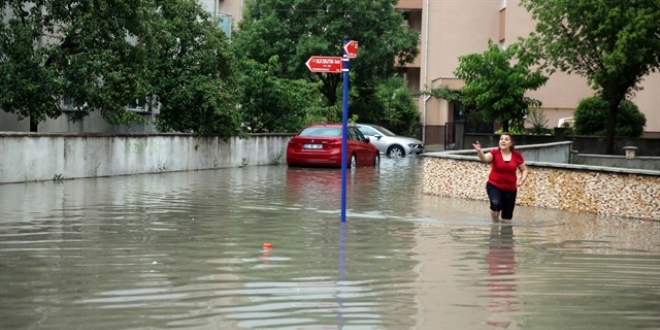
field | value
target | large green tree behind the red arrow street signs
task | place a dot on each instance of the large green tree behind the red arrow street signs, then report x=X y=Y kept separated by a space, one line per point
x=297 y=29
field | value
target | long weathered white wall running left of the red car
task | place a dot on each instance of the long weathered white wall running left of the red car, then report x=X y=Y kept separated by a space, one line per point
x=36 y=157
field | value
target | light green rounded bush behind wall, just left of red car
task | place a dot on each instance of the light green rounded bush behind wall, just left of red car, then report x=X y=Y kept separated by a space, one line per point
x=273 y=104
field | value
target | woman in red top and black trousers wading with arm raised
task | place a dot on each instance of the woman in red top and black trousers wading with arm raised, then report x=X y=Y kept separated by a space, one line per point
x=503 y=181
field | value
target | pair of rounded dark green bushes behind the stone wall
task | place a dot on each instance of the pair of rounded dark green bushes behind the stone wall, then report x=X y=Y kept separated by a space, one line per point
x=591 y=117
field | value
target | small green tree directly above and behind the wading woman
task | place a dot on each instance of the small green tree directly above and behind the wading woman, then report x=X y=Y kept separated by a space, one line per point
x=496 y=87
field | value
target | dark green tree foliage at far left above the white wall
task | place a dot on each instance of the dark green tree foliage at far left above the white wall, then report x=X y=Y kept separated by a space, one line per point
x=52 y=49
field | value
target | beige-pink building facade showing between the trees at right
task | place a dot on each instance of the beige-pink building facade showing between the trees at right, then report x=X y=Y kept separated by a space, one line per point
x=451 y=28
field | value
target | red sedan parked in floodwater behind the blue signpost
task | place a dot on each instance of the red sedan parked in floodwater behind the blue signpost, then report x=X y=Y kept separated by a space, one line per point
x=320 y=145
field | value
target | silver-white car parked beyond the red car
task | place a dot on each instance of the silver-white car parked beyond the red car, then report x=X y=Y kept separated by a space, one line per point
x=389 y=143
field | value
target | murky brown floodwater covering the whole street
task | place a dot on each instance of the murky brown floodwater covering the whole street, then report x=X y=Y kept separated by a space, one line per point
x=186 y=251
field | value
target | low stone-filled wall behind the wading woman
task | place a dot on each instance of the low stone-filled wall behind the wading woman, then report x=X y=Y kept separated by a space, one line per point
x=573 y=189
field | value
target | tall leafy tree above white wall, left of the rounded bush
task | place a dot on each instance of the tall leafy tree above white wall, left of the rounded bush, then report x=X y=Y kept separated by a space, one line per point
x=194 y=72
